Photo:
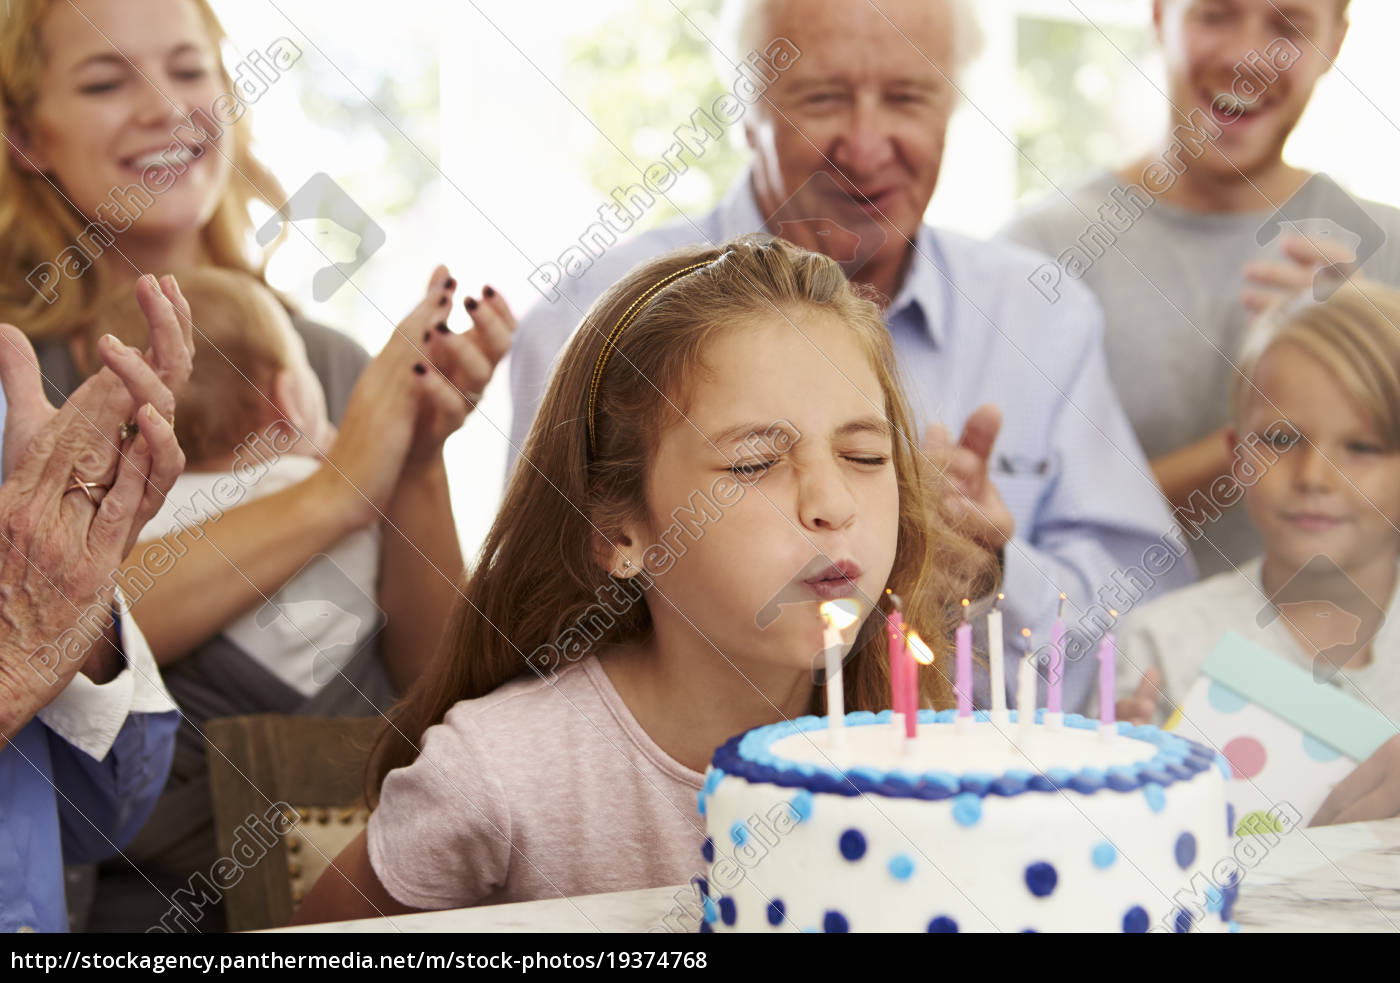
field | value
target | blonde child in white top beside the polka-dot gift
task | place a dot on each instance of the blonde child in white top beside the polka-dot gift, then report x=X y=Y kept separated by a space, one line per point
x=1318 y=403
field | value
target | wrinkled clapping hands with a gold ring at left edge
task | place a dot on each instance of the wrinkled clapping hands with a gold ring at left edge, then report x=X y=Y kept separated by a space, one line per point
x=80 y=484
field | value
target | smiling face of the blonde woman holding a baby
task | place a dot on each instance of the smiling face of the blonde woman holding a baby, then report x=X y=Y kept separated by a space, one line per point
x=121 y=81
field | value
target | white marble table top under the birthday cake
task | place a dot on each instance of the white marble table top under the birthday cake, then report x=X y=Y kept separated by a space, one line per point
x=1332 y=879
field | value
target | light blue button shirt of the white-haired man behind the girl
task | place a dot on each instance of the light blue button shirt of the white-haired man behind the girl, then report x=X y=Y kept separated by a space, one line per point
x=969 y=330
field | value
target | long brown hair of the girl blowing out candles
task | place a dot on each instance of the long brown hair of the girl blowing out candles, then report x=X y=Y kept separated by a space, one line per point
x=538 y=572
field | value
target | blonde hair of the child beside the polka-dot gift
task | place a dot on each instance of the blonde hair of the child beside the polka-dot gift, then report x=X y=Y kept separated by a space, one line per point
x=1356 y=334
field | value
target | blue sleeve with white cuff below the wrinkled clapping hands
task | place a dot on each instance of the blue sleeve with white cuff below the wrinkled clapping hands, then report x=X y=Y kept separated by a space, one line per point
x=62 y=804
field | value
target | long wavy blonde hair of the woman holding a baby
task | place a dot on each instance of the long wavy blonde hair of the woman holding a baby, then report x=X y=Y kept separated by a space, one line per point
x=37 y=223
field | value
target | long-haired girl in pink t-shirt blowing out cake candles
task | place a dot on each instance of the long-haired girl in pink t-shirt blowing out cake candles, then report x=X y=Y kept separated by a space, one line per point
x=723 y=449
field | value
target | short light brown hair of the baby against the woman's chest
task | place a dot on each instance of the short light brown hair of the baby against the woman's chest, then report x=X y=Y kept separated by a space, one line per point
x=239 y=351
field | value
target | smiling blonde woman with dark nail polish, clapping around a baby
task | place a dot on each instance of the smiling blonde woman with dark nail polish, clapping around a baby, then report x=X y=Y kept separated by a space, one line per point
x=128 y=152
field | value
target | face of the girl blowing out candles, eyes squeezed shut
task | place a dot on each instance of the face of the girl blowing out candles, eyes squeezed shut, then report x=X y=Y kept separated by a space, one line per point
x=786 y=433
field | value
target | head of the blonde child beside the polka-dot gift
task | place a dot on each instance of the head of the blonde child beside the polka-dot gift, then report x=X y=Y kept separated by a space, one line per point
x=1318 y=401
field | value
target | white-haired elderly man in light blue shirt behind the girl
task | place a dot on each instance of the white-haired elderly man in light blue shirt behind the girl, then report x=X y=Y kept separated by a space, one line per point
x=848 y=144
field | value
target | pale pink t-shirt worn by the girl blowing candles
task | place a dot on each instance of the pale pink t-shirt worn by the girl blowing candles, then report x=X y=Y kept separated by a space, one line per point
x=537 y=792
